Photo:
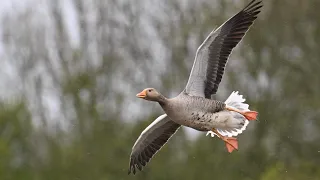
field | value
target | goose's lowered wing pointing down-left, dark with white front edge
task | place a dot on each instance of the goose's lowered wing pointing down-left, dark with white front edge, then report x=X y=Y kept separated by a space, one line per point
x=150 y=142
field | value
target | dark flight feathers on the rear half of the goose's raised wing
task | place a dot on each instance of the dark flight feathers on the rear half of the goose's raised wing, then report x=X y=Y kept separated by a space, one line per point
x=231 y=34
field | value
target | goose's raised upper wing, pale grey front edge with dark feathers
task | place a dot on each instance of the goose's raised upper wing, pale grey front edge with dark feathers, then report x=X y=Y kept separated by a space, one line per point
x=213 y=53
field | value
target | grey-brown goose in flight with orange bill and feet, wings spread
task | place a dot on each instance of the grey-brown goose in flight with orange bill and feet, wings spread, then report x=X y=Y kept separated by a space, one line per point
x=193 y=107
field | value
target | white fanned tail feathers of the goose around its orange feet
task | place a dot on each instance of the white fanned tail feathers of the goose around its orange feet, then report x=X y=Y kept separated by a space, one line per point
x=237 y=101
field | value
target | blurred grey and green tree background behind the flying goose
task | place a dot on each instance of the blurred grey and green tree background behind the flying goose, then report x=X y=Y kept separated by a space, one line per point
x=71 y=69
